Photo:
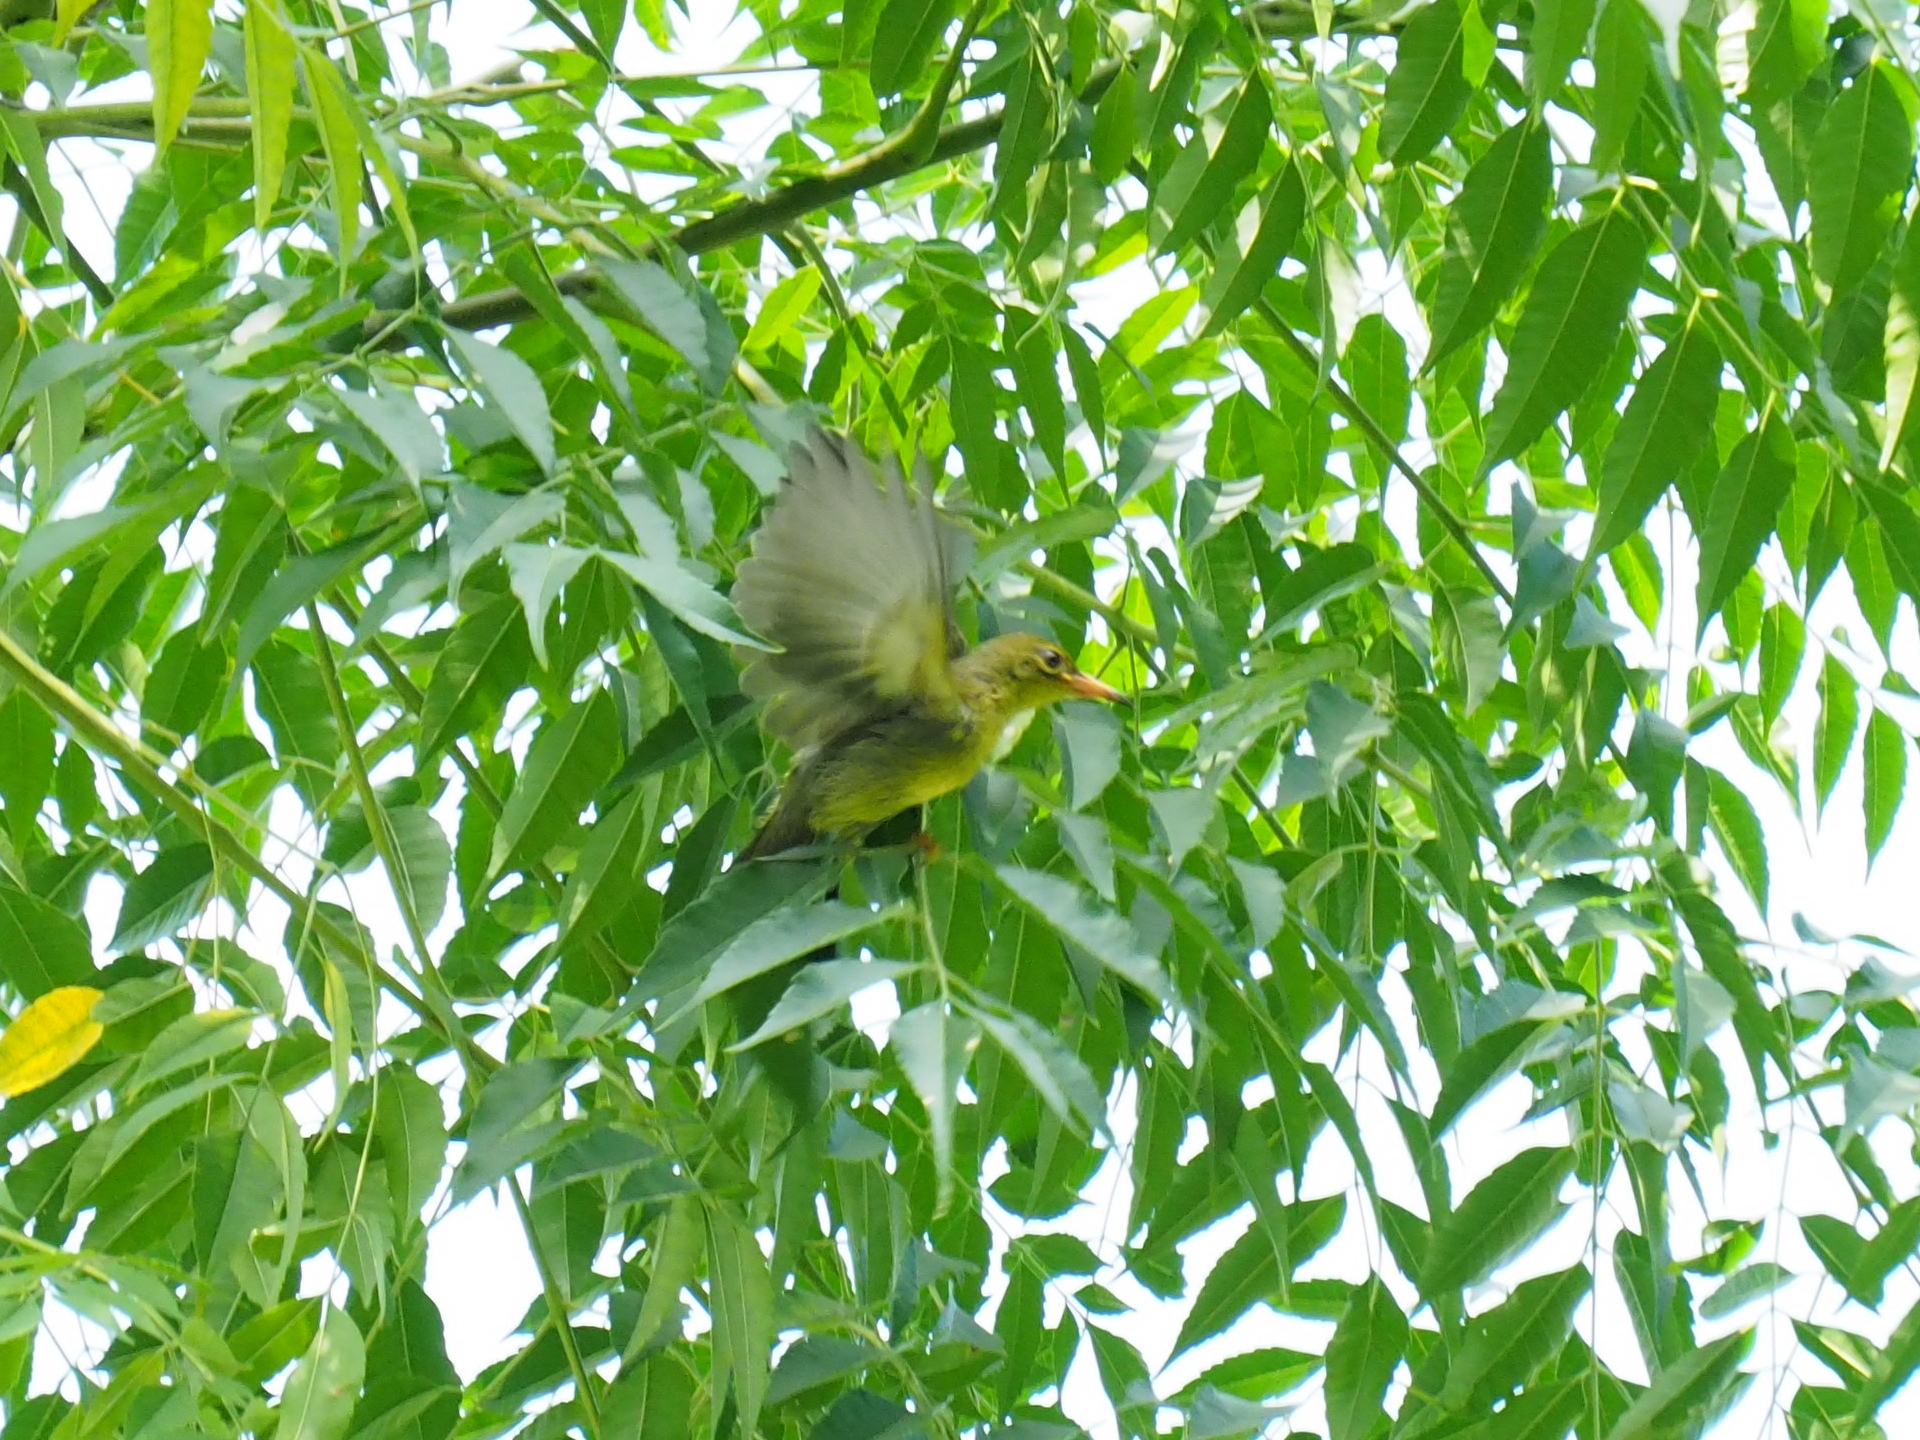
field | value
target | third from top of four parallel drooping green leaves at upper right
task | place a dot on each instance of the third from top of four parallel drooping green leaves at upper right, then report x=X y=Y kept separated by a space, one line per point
x=1660 y=435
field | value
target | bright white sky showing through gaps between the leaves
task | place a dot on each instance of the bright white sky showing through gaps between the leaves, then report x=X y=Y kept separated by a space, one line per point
x=477 y=1264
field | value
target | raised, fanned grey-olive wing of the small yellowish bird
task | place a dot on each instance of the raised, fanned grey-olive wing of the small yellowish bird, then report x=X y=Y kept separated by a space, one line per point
x=852 y=575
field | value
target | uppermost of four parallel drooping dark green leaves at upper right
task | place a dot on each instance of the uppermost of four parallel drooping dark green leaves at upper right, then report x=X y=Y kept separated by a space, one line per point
x=1493 y=231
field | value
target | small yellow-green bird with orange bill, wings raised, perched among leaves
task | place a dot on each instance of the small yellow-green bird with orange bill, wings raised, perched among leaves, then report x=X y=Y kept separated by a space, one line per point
x=886 y=708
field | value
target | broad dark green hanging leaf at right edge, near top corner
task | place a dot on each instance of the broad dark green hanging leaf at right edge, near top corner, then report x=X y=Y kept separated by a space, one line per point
x=1863 y=158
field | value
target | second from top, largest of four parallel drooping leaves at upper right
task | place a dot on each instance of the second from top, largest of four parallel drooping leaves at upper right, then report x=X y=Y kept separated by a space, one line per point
x=1568 y=329
